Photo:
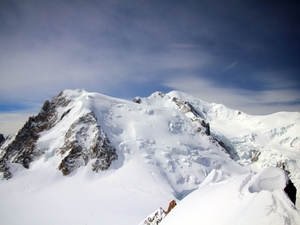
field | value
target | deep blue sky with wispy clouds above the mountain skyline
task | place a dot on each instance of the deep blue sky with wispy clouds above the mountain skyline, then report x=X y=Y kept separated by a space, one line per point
x=243 y=54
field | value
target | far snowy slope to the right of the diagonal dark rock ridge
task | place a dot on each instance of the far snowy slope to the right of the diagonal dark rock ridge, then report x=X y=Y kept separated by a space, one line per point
x=274 y=139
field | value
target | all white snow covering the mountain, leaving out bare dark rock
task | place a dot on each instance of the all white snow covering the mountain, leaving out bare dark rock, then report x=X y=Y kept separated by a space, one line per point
x=161 y=157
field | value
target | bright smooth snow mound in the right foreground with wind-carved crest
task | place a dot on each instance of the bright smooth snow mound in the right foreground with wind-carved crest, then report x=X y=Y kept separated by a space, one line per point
x=246 y=199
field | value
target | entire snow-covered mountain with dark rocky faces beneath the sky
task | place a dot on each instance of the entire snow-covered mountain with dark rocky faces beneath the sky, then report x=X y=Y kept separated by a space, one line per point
x=87 y=158
